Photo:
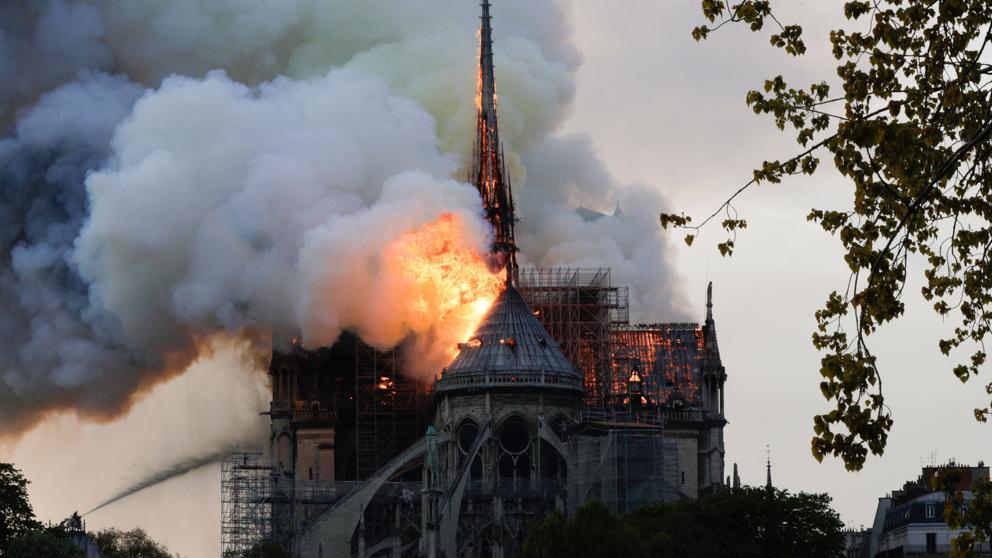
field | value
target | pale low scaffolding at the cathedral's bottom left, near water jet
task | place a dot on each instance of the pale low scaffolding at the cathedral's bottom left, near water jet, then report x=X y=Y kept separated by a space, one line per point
x=246 y=501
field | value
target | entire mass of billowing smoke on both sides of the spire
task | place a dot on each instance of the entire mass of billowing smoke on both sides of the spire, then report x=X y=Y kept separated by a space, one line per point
x=175 y=171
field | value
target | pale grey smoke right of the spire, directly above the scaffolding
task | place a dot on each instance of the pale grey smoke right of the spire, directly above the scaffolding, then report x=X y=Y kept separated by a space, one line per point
x=564 y=173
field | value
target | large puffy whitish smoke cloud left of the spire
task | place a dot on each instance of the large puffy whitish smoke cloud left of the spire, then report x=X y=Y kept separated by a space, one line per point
x=200 y=222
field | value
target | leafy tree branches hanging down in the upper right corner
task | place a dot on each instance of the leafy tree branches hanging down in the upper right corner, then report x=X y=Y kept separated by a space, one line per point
x=910 y=129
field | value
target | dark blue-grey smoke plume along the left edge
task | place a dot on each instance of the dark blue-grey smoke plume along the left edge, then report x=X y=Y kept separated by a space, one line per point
x=54 y=343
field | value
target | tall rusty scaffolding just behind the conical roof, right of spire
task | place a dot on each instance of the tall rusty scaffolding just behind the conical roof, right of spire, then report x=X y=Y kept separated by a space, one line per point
x=578 y=307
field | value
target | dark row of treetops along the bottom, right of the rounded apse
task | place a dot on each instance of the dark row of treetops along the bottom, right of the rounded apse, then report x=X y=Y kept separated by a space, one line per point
x=746 y=522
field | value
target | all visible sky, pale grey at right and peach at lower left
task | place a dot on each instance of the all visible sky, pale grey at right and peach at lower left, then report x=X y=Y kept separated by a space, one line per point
x=661 y=111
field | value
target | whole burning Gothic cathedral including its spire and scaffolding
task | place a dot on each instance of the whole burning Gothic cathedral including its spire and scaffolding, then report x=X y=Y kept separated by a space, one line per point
x=554 y=399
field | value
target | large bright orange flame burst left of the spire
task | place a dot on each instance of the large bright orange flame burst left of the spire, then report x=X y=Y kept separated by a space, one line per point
x=452 y=285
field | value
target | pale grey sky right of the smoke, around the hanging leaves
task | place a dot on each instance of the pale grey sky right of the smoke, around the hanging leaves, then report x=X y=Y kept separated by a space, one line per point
x=665 y=110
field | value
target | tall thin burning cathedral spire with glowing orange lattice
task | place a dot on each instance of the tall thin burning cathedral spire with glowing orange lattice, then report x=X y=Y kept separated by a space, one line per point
x=488 y=171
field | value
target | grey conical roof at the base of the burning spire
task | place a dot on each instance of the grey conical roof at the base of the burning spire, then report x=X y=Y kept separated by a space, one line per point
x=510 y=347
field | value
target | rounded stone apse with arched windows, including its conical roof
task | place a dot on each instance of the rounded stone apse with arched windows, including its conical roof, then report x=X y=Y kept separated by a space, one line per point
x=496 y=409
